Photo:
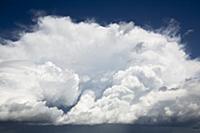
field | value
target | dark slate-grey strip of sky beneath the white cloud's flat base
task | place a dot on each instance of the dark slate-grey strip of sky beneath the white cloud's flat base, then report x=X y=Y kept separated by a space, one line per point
x=12 y=127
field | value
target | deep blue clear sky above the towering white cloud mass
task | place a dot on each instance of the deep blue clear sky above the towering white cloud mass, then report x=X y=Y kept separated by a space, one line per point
x=155 y=13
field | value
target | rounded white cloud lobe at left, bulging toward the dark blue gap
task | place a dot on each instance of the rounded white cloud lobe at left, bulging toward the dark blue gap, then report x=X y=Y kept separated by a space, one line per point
x=33 y=92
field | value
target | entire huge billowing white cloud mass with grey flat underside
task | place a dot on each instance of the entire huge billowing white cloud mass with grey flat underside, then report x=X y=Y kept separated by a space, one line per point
x=84 y=73
